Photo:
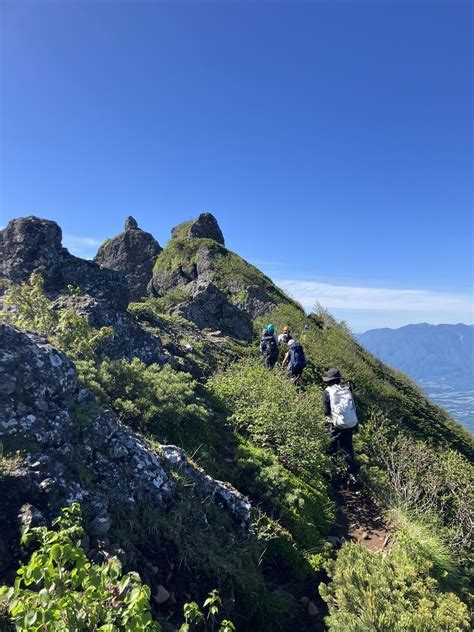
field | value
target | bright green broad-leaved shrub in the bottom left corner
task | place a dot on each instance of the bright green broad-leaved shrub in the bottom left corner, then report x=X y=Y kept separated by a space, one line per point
x=59 y=589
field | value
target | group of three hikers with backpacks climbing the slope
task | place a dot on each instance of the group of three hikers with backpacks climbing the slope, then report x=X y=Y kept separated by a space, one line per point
x=338 y=401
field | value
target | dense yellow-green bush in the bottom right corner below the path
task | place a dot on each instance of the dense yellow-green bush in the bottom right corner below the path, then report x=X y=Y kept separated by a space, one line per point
x=388 y=593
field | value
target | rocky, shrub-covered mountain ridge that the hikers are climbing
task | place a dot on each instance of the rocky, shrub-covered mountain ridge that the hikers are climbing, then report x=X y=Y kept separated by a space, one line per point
x=176 y=374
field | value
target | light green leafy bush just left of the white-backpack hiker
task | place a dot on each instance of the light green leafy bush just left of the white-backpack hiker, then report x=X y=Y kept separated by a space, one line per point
x=265 y=407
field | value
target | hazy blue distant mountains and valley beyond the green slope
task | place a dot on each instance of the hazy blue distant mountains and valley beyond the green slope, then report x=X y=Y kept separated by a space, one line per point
x=439 y=357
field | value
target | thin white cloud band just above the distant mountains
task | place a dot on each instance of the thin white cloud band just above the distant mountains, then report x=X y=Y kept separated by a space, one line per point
x=368 y=298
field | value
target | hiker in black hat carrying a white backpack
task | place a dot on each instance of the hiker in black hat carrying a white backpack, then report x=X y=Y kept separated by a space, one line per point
x=341 y=417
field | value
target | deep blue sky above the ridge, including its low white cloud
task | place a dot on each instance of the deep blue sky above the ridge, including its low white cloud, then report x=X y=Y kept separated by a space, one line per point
x=332 y=140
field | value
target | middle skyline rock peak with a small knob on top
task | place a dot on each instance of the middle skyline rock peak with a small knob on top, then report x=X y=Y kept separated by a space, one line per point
x=133 y=253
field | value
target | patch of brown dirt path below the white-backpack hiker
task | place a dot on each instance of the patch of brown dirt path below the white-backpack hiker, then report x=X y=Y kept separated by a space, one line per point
x=360 y=520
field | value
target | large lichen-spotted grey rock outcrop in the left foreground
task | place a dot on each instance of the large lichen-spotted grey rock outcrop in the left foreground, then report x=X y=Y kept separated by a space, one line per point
x=74 y=450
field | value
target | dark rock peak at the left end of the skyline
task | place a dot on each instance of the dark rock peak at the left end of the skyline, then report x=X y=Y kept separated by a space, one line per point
x=31 y=243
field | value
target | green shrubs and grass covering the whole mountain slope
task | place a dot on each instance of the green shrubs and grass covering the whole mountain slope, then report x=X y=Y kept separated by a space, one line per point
x=252 y=428
